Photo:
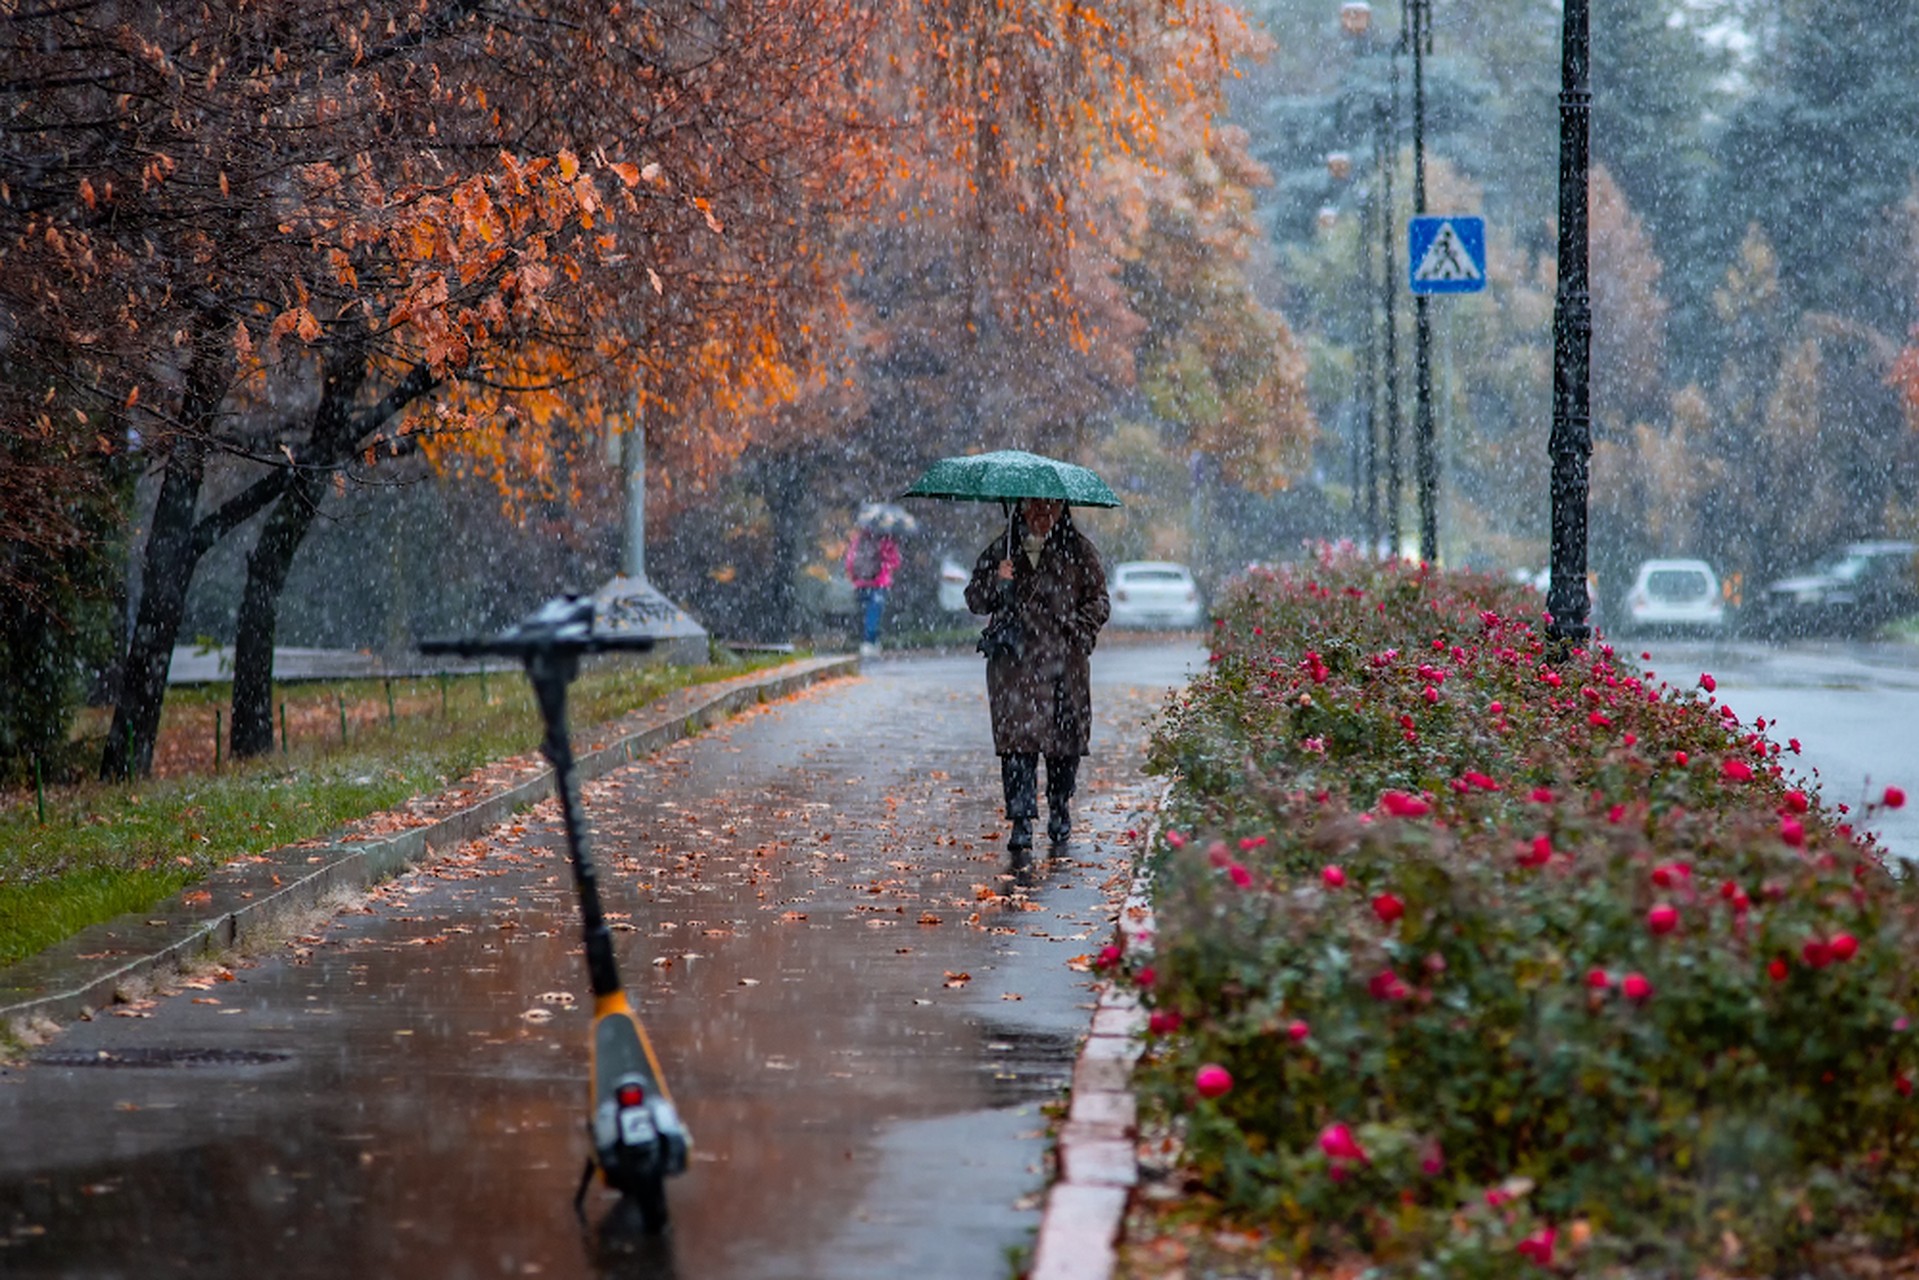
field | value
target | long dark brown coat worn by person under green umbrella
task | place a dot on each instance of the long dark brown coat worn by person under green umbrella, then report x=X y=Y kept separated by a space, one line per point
x=1043 y=699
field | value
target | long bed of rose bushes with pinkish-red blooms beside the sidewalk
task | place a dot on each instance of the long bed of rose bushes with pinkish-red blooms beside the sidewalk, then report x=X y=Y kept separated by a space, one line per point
x=1576 y=970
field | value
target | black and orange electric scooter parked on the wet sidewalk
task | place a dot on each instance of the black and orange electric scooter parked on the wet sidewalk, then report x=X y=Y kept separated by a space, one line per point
x=636 y=1131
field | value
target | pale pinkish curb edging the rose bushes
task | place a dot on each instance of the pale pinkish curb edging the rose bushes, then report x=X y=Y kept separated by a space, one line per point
x=1097 y=1156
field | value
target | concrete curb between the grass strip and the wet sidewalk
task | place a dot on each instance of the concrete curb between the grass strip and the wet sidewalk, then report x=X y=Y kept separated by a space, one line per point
x=247 y=899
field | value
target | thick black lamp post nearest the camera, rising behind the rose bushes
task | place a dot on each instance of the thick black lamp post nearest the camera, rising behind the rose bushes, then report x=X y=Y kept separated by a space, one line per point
x=1573 y=344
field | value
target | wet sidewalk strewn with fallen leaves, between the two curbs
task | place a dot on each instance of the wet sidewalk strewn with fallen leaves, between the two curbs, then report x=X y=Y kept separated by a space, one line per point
x=859 y=1010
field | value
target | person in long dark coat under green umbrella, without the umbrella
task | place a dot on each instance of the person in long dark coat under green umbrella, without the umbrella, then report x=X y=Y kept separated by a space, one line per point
x=1045 y=586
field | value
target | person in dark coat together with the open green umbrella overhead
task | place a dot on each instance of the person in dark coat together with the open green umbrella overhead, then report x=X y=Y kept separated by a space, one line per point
x=1045 y=588
